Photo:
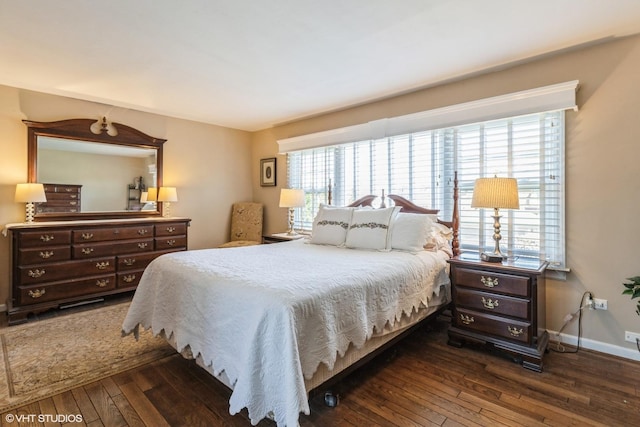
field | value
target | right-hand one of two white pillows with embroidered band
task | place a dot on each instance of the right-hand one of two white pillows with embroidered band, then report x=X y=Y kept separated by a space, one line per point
x=371 y=229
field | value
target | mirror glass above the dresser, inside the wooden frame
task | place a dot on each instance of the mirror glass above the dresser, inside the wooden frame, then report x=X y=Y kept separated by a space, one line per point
x=84 y=176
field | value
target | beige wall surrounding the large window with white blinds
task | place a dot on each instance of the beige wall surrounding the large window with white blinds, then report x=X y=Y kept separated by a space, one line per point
x=603 y=176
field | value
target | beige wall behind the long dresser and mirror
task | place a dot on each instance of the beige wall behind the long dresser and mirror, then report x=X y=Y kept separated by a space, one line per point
x=209 y=165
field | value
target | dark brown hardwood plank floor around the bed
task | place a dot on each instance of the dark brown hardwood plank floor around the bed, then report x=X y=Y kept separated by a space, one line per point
x=421 y=382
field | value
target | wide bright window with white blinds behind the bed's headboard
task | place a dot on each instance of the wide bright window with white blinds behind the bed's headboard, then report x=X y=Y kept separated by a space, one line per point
x=420 y=166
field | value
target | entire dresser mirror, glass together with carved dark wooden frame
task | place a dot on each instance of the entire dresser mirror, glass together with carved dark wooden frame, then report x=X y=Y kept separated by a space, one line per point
x=108 y=166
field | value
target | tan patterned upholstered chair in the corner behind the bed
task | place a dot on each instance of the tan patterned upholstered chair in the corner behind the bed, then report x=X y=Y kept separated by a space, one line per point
x=246 y=225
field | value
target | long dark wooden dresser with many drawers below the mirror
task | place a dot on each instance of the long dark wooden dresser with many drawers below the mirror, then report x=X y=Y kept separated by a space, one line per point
x=61 y=263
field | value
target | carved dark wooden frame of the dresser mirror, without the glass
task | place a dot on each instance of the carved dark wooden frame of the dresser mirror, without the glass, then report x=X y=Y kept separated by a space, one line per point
x=80 y=130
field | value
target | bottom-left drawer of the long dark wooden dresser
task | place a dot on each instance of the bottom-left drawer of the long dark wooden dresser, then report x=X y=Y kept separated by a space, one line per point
x=67 y=289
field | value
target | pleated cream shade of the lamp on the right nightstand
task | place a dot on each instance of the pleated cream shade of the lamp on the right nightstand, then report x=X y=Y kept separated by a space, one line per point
x=495 y=192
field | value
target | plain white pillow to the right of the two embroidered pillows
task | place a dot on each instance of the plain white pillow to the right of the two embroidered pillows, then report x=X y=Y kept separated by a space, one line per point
x=410 y=232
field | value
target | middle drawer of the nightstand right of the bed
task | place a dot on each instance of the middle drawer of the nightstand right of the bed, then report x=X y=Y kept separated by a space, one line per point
x=493 y=303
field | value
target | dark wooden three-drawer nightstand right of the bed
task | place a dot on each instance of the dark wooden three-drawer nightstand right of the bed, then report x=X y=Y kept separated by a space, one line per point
x=500 y=304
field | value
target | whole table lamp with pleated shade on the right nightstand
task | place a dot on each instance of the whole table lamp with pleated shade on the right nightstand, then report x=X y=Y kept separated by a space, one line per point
x=496 y=193
